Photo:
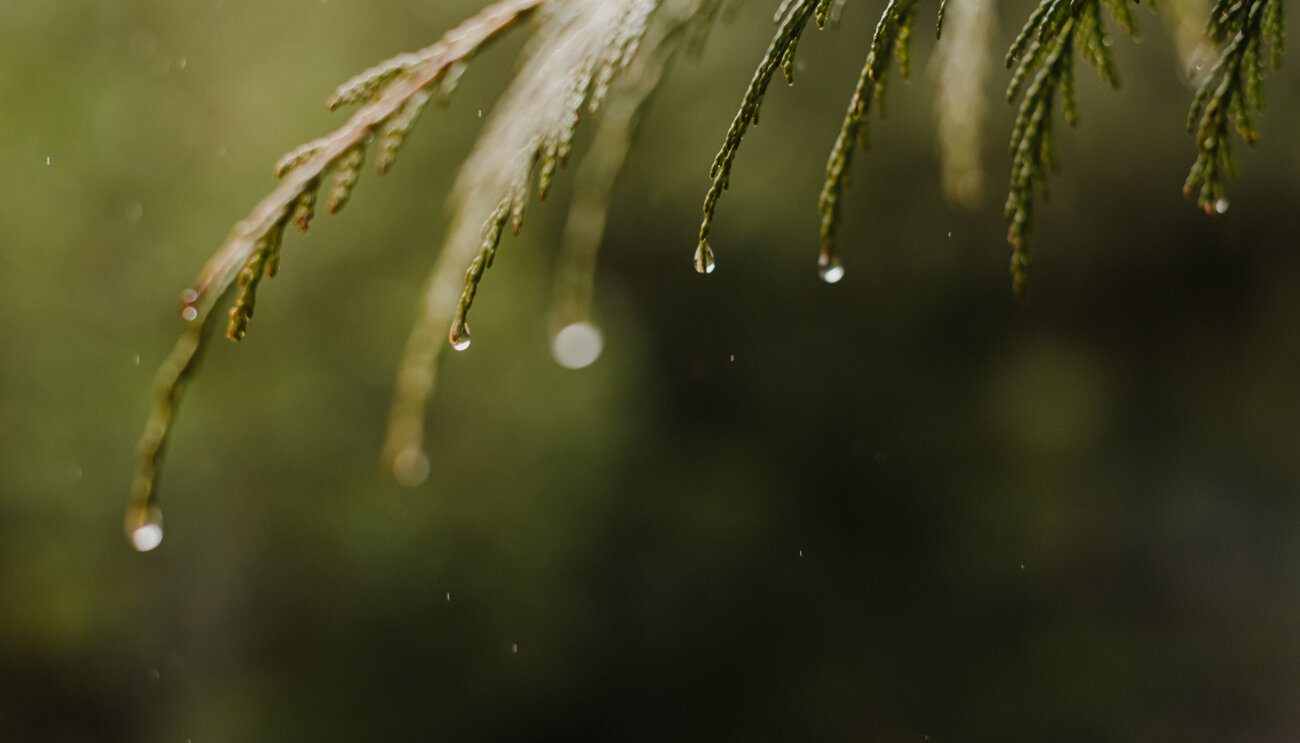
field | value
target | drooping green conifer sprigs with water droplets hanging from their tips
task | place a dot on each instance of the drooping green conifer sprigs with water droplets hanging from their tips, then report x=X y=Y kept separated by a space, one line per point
x=588 y=55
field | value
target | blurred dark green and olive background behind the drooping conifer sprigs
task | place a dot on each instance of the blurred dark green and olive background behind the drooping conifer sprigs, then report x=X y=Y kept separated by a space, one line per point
x=898 y=509
